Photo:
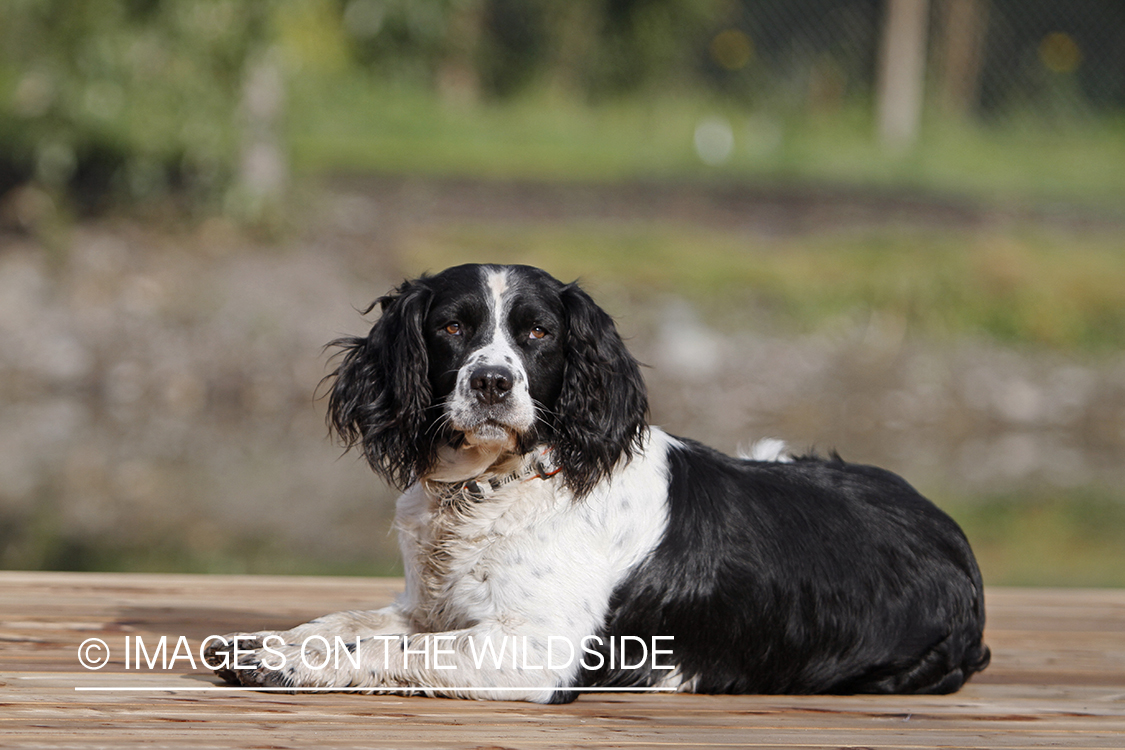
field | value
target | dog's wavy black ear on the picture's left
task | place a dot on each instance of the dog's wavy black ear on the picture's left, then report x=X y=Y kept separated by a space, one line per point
x=381 y=393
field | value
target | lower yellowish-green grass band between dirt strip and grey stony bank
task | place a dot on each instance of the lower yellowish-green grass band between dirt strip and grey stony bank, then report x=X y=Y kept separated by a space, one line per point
x=1028 y=288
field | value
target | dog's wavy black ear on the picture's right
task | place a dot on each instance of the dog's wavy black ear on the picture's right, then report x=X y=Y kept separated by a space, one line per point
x=602 y=408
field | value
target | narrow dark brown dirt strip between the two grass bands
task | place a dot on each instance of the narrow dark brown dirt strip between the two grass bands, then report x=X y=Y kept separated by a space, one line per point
x=762 y=210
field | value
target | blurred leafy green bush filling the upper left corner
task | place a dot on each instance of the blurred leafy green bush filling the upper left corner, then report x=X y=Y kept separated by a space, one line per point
x=124 y=98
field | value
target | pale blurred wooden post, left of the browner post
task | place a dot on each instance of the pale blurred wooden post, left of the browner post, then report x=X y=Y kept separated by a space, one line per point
x=902 y=74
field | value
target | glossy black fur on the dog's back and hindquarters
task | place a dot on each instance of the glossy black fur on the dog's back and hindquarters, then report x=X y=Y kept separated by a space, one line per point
x=812 y=576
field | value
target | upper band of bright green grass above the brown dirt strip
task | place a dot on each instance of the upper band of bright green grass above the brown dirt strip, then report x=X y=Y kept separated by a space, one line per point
x=352 y=123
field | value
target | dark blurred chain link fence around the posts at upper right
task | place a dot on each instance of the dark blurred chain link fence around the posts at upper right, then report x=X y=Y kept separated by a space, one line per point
x=996 y=61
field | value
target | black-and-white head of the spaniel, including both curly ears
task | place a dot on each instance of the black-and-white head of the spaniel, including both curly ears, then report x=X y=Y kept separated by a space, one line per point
x=490 y=362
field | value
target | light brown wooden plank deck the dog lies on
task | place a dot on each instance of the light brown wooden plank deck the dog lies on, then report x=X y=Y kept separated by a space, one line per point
x=1058 y=681
